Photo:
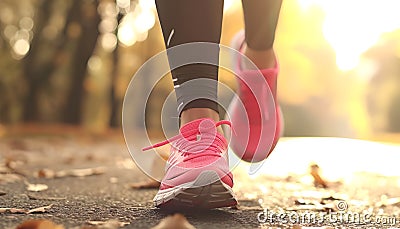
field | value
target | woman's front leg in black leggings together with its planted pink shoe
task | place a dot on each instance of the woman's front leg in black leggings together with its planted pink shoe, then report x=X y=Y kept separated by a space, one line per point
x=198 y=162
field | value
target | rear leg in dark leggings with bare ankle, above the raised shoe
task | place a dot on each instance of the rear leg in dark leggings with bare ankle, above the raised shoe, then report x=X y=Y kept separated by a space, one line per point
x=261 y=18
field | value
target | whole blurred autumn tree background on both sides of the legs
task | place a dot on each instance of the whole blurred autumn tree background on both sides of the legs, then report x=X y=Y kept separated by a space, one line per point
x=70 y=61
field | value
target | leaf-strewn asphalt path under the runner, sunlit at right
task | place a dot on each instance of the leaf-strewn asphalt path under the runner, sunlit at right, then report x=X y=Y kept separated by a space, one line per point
x=103 y=191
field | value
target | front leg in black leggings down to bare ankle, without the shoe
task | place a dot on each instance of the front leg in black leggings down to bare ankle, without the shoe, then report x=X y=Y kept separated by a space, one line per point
x=185 y=21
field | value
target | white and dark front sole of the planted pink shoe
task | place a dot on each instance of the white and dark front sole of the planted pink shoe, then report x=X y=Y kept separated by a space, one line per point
x=199 y=193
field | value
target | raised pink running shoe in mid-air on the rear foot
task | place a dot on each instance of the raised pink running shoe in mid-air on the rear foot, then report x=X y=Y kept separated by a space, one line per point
x=256 y=132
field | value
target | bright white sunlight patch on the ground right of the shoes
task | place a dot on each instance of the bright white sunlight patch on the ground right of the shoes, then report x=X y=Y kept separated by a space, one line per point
x=338 y=158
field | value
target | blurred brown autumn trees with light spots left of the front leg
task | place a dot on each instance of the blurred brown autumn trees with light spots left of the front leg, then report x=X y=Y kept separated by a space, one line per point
x=65 y=65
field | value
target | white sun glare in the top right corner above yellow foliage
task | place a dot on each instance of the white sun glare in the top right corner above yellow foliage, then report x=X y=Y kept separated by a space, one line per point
x=352 y=27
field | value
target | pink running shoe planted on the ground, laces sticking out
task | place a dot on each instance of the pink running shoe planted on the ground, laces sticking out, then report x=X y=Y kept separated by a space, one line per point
x=197 y=171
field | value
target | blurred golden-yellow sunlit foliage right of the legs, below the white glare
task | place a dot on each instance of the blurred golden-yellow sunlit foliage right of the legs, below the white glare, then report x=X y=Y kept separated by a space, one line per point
x=319 y=99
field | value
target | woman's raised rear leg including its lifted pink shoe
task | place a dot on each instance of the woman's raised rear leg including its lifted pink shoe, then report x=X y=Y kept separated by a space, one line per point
x=255 y=140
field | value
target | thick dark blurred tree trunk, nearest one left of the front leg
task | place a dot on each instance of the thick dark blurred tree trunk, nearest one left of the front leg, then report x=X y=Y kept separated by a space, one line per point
x=86 y=22
